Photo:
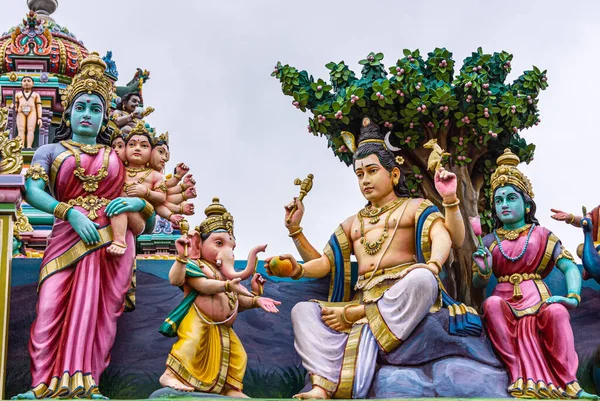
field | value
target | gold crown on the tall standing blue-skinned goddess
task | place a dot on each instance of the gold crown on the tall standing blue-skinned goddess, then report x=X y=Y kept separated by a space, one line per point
x=90 y=79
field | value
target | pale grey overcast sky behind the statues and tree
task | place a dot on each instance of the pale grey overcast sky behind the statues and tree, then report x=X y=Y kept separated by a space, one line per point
x=210 y=83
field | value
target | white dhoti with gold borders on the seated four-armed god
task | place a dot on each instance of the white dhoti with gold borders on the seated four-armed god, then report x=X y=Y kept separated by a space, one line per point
x=344 y=363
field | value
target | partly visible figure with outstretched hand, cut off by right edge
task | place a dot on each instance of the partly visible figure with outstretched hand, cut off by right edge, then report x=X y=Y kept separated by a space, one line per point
x=589 y=250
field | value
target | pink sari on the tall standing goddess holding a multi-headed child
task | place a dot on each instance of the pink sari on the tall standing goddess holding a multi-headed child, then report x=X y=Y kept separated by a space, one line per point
x=81 y=291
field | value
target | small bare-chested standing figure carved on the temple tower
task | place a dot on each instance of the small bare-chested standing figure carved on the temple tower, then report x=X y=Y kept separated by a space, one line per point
x=28 y=105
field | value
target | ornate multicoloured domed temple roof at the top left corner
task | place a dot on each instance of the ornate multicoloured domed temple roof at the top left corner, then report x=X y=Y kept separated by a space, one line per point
x=40 y=39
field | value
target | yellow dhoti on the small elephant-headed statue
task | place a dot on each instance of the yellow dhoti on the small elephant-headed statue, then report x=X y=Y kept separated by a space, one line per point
x=207 y=356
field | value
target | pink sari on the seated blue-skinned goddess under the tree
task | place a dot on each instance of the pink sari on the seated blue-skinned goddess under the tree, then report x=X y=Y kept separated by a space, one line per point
x=534 y=339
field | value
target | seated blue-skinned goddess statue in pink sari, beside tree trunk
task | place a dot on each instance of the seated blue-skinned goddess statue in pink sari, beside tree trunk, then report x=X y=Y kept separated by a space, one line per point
x=527 y=325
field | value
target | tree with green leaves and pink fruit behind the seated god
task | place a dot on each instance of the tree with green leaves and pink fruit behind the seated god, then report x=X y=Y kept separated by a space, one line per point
x=474 y=115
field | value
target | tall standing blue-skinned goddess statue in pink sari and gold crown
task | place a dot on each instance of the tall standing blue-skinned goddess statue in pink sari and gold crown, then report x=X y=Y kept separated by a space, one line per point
x=81 y=287
